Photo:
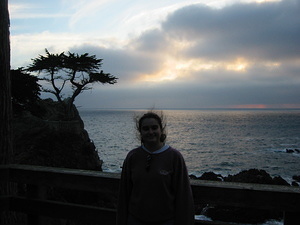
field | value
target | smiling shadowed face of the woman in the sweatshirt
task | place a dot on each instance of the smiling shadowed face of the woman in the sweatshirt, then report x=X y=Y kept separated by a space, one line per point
x=150 y=132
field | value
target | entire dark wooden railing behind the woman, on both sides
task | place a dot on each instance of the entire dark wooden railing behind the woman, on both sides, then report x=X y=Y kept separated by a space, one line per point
x=37 y=180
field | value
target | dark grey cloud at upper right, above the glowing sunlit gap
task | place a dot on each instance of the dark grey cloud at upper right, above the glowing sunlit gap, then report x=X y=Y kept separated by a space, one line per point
x=269 y=30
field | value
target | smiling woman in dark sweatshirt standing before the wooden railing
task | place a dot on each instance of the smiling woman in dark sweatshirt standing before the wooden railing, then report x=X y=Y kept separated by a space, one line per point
x=154 y=186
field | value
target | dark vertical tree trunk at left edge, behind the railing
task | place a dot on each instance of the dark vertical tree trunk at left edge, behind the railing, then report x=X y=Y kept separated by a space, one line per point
x=6 y=146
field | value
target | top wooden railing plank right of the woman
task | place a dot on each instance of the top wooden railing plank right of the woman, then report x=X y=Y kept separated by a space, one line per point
x=278 y=197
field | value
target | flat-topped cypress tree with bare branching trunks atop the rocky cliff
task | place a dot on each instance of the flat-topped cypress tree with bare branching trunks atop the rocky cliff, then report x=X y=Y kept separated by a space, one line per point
x=78 y=71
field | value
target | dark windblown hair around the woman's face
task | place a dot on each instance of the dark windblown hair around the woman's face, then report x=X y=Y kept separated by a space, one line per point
x=158 y=118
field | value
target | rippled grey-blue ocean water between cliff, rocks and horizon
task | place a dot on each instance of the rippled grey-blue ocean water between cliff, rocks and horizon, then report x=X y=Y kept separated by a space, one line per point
x=221 y=141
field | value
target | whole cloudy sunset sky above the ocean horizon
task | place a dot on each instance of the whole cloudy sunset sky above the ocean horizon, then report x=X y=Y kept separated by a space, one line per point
x=171 y=53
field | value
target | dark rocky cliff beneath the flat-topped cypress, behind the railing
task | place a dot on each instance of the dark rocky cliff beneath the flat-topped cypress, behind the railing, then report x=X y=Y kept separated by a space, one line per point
x=44 y=138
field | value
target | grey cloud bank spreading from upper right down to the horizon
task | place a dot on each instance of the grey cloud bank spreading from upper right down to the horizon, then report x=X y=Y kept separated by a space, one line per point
x=264 y=34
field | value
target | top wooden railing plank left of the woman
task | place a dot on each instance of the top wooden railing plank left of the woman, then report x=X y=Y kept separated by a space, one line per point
x=94 y=181
